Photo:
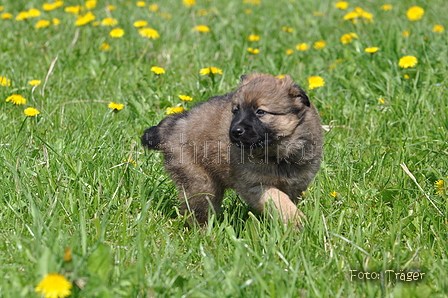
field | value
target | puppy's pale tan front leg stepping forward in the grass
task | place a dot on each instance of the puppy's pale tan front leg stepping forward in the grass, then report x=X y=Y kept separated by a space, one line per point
x=261 y=197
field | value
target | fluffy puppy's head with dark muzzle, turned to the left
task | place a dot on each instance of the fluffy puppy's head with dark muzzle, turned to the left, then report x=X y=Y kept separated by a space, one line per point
x=266 y=109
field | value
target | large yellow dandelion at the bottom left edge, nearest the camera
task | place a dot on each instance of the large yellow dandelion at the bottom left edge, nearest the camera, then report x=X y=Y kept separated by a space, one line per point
x=54 y=285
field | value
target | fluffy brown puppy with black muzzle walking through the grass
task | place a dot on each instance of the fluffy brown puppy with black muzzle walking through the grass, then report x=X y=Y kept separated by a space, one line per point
x=264 y=141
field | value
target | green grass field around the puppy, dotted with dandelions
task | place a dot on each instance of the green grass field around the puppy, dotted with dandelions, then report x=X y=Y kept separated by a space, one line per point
x=75 y=178
